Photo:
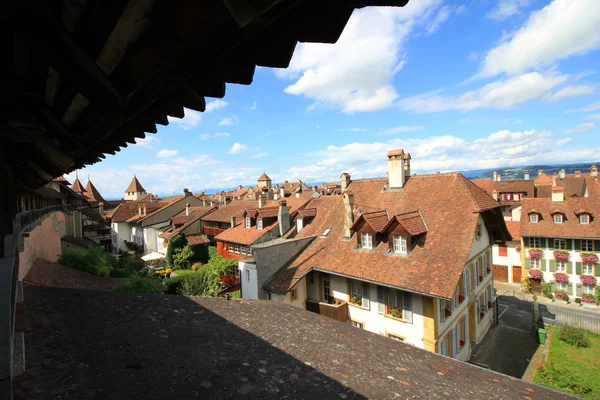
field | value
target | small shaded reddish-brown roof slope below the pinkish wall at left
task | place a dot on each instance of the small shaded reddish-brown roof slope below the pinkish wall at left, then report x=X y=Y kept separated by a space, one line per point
x=49 y=274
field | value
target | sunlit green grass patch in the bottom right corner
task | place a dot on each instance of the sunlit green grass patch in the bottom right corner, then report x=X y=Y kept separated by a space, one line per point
x=573 y=370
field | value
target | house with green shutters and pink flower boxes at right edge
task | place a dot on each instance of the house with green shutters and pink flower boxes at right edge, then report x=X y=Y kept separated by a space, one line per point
x=561 y=239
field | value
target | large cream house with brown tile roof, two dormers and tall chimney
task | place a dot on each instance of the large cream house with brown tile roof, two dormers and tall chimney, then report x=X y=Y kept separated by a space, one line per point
x=396 y=256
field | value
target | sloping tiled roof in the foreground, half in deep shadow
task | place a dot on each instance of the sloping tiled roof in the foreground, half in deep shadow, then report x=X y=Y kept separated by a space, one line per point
x=98 y=345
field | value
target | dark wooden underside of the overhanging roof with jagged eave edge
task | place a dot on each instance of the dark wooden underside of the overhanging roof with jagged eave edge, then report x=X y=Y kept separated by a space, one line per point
x=85 y=78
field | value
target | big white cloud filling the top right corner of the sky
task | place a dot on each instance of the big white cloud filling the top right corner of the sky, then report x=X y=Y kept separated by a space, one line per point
x=561 y=29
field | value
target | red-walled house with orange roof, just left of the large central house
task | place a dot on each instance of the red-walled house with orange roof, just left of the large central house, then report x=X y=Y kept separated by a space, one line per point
x=257 y=225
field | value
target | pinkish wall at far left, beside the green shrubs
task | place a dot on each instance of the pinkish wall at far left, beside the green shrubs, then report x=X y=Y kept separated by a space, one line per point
x=43 y=242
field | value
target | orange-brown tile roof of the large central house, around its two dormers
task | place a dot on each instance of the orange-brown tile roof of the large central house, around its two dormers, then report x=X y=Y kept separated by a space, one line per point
x=450 y=207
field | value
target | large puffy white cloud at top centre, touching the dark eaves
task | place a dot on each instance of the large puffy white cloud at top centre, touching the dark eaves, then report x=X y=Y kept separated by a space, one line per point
x=355 y=74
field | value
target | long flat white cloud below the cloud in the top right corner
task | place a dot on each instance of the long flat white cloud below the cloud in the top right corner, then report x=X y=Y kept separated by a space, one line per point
x=501 y=94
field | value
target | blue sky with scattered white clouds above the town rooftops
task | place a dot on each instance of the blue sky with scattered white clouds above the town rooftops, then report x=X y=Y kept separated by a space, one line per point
x=459 y=84
